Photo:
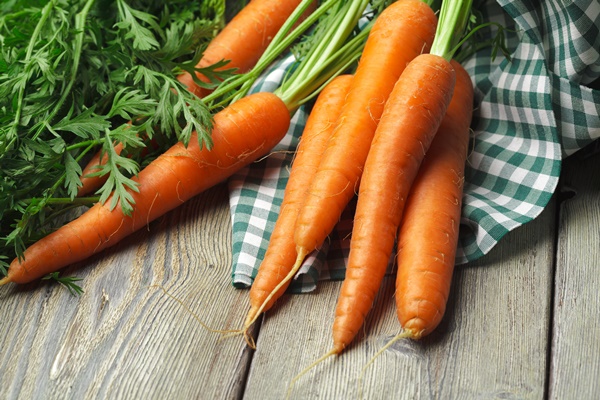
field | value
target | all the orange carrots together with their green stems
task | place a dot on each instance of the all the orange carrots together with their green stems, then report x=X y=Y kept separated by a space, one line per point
x=395 y=132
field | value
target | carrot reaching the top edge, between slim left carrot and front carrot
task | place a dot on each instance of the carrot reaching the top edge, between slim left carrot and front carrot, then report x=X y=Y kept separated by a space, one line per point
x=402 y=31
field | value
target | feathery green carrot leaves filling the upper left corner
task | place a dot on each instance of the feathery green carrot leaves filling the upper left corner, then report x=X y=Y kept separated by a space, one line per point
x=77 y=76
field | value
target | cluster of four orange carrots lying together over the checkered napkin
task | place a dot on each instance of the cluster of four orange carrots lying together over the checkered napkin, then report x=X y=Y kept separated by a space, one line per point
x=395 y=134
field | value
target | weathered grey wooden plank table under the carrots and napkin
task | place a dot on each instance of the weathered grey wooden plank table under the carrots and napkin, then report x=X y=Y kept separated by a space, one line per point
x=522 y=322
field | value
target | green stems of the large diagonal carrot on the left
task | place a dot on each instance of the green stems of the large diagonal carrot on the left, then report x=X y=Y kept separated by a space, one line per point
x=333 y=47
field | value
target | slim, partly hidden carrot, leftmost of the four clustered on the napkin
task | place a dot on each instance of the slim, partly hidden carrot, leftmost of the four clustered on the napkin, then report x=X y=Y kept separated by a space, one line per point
x=281 y=252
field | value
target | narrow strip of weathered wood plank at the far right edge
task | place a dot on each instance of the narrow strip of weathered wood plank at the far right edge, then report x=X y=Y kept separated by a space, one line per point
x=575 y=365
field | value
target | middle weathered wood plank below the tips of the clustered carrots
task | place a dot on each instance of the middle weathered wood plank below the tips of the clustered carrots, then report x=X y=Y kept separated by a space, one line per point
x=492 y=342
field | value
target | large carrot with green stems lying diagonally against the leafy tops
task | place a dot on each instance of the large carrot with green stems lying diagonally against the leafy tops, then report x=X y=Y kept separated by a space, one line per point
x=245 y=130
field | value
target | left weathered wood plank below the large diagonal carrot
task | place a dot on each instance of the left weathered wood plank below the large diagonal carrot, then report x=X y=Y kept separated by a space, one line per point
x=125 y=338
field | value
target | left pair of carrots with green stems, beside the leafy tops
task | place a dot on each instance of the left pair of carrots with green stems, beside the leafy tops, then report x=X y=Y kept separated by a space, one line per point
x=245 y=128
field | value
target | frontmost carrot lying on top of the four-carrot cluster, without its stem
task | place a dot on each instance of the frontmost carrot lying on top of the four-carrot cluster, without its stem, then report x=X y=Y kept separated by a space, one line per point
x=409 y=122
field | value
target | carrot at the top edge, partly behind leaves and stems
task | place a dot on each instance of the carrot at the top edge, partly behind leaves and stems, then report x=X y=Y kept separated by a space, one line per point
x=244 y=39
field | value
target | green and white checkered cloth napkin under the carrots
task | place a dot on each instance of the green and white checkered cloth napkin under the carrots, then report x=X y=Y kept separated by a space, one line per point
x=531 y=112
